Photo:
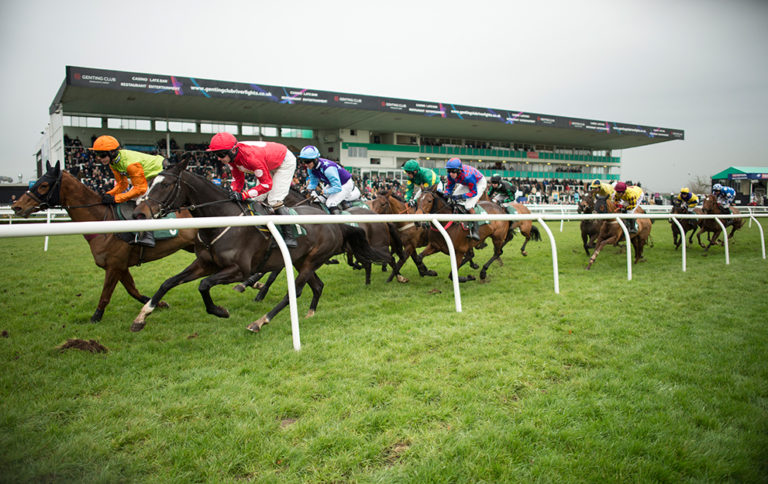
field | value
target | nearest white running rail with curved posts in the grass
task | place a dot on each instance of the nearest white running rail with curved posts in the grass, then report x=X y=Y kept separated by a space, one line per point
x=78 y=228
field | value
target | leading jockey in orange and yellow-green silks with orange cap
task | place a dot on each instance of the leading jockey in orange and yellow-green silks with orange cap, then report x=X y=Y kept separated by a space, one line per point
x=139 y=167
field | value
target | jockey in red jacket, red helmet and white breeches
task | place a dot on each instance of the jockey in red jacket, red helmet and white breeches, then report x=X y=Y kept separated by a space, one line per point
x=272 y=164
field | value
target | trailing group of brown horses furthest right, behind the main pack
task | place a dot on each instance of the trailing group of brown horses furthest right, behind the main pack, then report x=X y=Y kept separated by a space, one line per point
x=597 y=233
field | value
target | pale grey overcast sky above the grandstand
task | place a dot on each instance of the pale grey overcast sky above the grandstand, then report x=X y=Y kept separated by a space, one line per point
x=696 y=65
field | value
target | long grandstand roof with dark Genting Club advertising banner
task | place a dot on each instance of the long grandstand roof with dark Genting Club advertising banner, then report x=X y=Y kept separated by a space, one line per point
x=117 y=93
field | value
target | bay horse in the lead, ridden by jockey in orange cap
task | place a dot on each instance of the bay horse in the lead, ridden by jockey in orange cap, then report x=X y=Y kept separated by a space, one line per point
x=59 y=188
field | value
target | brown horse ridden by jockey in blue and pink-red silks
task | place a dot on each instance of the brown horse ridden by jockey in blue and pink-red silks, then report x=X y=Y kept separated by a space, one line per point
x=499 y=230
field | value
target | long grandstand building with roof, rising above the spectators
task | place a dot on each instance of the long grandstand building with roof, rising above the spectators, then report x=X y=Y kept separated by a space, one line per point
x=370 y=135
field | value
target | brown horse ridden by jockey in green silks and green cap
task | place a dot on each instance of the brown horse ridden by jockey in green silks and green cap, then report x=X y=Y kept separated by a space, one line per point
x=411 y=234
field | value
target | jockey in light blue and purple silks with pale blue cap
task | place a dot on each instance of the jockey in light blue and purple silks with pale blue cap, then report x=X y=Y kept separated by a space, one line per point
x=339 y=186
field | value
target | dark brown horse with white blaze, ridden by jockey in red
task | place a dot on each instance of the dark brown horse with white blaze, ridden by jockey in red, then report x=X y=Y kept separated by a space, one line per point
x=230 y=254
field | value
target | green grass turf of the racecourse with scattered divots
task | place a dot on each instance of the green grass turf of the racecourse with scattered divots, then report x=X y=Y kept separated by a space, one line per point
x=661 y=378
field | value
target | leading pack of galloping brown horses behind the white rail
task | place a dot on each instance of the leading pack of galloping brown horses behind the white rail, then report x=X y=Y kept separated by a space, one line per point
x=242 y=255
